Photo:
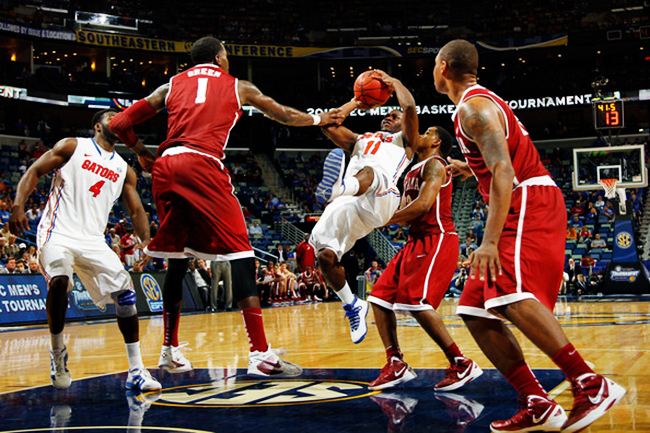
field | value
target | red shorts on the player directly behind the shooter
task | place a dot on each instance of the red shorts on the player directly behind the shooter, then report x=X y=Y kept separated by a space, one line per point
x=417 y=278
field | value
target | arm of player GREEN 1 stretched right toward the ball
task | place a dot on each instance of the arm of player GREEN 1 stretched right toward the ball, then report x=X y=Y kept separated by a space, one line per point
x=250 y=94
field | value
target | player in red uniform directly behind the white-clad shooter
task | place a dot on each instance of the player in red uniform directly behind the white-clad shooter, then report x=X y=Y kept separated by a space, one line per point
x=416 y=279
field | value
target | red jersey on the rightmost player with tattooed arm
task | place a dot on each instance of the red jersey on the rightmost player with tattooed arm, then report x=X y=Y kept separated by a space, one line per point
x=525 y=157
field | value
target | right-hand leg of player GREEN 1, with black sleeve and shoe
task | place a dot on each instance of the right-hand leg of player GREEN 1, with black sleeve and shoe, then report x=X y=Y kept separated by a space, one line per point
x=262 y=360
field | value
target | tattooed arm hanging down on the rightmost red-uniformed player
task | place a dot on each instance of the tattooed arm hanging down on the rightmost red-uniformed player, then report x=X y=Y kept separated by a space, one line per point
x=482 y=121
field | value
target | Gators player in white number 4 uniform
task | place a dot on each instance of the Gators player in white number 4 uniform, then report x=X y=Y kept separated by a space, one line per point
x=90 y=177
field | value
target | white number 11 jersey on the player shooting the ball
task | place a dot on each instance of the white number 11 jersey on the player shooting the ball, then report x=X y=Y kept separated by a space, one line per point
x=383 y=151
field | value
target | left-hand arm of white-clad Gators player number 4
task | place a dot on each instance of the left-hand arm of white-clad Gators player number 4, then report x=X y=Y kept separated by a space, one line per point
x=51 y=160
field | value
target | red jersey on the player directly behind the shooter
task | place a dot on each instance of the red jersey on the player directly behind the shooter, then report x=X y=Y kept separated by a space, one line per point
x=438 y=219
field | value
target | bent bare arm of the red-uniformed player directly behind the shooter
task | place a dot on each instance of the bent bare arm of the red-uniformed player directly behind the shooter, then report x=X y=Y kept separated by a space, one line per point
x=435 y=176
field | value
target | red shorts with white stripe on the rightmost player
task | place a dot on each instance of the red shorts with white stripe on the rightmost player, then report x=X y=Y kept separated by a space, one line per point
x=531 y=252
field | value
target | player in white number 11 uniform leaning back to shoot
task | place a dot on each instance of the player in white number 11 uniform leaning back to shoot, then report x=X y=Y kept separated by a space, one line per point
x=366 y=197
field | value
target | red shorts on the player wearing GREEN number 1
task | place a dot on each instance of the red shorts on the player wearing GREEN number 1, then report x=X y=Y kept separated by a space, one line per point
x=199 y=213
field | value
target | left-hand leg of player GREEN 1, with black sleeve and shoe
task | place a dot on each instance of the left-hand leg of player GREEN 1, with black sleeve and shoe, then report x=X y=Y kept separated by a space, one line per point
x=171 y=358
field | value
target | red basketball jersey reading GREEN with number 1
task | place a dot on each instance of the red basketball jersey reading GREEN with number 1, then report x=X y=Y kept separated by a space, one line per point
x=203 y=106
